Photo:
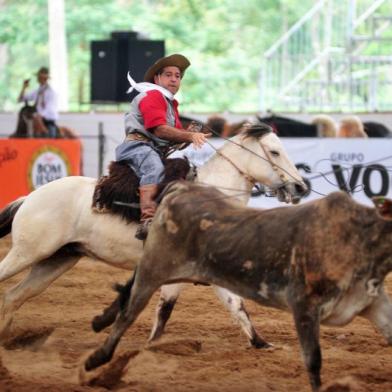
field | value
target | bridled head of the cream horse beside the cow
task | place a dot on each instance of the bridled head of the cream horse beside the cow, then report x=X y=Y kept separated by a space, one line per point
x=266 y=161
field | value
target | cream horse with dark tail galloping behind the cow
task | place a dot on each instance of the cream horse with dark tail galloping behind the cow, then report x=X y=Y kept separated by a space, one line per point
x=54 y=226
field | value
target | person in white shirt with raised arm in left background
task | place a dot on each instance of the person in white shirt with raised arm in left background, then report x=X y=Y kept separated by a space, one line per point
x=45 y=101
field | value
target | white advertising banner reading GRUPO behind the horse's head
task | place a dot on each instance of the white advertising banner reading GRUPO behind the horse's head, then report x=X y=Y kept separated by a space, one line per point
x=361 y=167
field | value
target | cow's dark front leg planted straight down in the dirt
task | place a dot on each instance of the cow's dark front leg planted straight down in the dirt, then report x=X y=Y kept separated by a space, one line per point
x=307 y=324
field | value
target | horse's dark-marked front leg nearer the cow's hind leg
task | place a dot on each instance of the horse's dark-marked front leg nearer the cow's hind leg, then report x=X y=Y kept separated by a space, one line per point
x=167 y=300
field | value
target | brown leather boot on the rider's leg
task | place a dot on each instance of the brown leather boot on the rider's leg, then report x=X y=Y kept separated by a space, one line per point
x=148 y=208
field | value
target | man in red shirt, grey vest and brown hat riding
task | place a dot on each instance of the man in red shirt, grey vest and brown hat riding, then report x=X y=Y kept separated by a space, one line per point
x=152 y=125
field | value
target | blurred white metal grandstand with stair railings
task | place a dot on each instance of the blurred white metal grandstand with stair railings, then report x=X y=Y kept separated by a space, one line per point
x=336 y=58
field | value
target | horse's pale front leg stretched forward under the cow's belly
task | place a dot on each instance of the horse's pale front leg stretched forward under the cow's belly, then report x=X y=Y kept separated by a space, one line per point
x=237 y=309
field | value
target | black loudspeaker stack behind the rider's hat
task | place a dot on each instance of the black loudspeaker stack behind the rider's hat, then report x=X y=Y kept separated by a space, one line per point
x=112 y=59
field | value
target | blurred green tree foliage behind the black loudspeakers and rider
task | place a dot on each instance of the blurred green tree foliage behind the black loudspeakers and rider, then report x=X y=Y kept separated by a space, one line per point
x=224 y=39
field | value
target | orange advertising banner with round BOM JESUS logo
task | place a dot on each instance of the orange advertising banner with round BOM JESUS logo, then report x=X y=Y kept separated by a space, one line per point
x=27 y=164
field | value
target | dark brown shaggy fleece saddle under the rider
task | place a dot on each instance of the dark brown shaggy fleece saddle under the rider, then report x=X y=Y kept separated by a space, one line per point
x=118 y=192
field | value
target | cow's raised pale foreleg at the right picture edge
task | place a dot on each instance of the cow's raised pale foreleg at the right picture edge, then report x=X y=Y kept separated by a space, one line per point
x=380 y=314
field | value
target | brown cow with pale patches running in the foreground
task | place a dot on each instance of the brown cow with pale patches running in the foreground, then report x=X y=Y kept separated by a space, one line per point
x=325 y=261
